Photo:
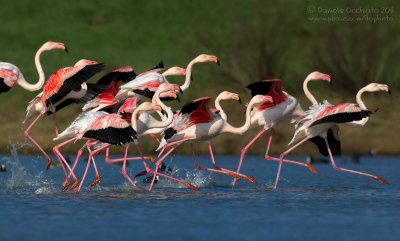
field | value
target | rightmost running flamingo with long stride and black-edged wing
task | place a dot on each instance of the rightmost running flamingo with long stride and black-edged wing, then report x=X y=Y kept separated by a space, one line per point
x=320 y=117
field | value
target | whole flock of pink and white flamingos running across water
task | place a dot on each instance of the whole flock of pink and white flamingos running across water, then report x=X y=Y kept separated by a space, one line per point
x=116 y=112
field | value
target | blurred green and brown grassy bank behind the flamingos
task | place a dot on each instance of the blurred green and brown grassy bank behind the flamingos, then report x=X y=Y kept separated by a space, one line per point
x=254 y=40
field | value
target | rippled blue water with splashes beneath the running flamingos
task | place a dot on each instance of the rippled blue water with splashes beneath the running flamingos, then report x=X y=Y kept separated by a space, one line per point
x=330 y=206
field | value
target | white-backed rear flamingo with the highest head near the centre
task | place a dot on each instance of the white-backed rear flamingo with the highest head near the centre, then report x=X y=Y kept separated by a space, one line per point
x=147 y=84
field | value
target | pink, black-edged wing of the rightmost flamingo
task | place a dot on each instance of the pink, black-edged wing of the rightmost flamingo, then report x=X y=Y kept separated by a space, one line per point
x=340 y=113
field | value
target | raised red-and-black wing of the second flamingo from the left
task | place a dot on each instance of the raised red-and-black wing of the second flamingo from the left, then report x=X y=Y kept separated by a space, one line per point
x=66 y=80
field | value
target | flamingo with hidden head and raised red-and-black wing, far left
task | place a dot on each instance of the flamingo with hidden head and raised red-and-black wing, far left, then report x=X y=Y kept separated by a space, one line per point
x=61 y=86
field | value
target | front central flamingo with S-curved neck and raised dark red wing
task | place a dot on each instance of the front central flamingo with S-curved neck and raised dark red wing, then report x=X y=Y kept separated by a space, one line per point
x=196 y=122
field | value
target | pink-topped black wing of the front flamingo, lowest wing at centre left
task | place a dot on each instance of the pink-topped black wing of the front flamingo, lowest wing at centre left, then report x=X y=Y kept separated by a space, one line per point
x=112 y=129
